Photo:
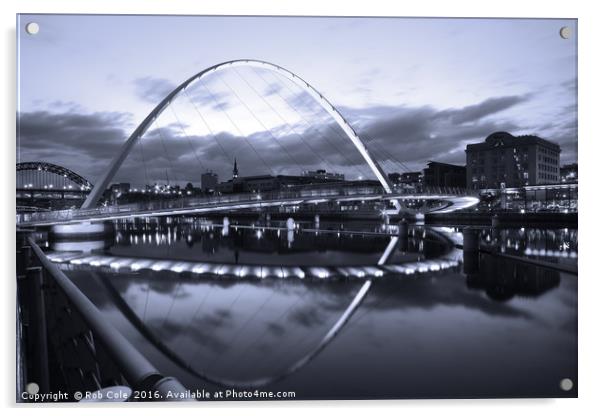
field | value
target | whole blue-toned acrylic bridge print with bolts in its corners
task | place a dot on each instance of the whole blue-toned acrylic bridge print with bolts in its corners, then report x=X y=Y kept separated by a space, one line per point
x=280 y=208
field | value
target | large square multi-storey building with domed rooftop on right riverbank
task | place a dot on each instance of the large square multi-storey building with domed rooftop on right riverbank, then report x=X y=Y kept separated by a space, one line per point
x=507 y=161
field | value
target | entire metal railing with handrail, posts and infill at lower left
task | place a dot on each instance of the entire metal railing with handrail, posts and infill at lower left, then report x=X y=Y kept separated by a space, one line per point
x=70 y=344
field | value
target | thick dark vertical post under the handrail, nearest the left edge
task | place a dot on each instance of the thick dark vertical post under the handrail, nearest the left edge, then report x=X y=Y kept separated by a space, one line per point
x=37 y=325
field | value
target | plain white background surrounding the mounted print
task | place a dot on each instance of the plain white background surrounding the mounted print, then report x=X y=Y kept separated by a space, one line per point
x=590 y=69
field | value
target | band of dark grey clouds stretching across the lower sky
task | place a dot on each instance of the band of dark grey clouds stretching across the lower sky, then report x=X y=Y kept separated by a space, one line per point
x=399 y=137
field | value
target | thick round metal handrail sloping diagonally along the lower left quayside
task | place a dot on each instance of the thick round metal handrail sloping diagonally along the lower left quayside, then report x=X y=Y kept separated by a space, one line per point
x=136 y=369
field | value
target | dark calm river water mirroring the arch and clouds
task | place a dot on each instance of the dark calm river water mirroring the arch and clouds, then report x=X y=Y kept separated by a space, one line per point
x=488 y=327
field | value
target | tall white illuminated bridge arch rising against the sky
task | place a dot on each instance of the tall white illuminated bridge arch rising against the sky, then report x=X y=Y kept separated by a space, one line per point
x=104 y=181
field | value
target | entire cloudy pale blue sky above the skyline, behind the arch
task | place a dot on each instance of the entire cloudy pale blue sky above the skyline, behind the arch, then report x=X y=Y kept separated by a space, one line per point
x=414 y=89
